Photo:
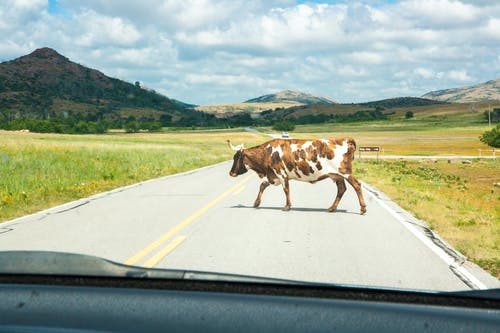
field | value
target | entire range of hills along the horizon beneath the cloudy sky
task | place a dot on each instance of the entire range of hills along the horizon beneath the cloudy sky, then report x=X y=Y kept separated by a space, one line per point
x=46 y=85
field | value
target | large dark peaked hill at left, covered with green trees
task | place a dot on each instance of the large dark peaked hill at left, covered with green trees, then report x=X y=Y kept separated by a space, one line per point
x=45 y=84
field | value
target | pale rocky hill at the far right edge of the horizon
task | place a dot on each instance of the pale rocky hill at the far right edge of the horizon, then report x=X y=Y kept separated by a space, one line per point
x=487 y=91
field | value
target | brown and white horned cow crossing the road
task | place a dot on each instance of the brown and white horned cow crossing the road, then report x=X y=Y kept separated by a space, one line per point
x=278 y=161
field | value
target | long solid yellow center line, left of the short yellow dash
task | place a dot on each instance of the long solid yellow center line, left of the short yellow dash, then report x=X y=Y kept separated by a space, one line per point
x=141 y=254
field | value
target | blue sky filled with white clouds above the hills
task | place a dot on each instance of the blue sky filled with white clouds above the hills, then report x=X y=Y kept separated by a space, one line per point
x=227 y=51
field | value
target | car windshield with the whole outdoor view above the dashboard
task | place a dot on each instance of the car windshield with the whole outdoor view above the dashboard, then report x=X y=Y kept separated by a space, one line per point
x=332 y=142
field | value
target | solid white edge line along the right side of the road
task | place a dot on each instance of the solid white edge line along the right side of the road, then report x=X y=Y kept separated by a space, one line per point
x=450 y=261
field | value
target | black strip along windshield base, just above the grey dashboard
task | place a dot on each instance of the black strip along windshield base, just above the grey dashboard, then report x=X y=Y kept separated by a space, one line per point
x=251 y=288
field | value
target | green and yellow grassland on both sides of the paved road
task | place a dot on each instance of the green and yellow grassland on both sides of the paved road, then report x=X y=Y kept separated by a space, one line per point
x=461 y=202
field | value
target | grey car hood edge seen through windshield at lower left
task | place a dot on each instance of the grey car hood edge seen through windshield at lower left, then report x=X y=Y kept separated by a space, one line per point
x=72 y=264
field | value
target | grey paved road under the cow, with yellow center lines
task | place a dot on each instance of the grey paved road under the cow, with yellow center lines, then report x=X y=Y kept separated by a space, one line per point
x=204 y=220
